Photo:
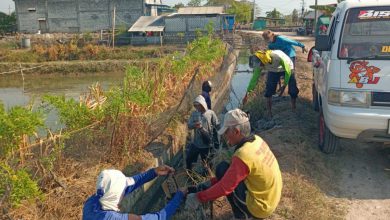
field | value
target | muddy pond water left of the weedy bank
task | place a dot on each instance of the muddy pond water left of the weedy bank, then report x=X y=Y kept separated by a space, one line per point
x=14 y=91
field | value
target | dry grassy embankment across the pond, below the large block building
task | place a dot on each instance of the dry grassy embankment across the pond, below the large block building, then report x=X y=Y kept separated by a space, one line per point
x=75 y=57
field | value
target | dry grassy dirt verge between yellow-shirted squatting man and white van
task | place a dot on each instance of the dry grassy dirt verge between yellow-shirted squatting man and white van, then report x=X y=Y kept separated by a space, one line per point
x=308 y=181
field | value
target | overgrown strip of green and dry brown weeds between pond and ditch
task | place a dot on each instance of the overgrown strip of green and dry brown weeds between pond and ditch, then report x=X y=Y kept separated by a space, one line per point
x=50 y=178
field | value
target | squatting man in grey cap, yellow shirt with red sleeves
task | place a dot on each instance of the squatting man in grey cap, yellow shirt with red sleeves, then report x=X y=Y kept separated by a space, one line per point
x=252 y=182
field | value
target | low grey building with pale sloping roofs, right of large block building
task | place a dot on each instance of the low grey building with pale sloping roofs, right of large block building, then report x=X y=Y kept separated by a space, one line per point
x=180 y=27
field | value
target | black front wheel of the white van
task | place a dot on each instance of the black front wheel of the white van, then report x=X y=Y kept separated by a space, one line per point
x=327 y=141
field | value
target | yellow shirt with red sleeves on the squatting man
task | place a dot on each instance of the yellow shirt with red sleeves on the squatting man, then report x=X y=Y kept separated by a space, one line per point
x=254 y=163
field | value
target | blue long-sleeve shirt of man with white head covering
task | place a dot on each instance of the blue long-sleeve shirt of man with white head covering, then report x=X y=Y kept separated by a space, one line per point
x=93 y=210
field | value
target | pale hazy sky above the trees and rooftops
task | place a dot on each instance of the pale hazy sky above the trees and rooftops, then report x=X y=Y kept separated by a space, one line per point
x=284 y=6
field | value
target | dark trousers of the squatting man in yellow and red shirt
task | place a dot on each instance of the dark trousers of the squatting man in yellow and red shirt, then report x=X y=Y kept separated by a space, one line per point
x=237 y=198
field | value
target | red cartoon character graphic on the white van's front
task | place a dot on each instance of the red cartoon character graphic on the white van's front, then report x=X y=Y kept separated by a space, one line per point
x=362 y=73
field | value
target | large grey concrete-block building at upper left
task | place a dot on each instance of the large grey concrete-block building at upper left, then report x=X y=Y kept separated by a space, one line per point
x=73 y=16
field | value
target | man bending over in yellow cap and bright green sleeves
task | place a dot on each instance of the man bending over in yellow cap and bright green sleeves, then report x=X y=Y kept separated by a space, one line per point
x=278 y=65
